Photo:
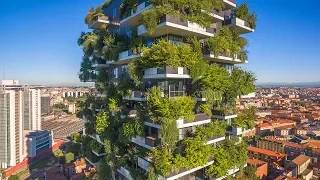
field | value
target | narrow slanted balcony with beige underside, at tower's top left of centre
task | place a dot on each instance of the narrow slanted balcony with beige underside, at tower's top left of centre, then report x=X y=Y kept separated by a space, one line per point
x=134 y=17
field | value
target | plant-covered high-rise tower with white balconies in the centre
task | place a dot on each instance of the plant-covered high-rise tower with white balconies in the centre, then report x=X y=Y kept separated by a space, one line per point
x=166 y=70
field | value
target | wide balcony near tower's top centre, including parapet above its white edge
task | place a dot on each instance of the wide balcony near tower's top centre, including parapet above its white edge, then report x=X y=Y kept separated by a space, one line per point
x=172 y=25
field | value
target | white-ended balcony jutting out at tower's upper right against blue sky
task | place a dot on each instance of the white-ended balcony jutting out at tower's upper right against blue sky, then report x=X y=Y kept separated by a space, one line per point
x=238 y=25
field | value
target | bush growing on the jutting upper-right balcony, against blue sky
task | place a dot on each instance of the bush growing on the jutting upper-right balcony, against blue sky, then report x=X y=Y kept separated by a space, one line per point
x=243 y=13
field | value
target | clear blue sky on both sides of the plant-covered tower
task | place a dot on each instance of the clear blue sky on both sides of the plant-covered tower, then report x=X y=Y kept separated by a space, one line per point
x=39 y=40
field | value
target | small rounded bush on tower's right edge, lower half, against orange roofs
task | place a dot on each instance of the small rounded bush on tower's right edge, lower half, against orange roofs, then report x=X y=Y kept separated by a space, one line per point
x=246 y=118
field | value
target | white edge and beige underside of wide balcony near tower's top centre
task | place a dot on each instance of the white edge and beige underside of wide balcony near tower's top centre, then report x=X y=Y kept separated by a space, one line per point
x=174 y=29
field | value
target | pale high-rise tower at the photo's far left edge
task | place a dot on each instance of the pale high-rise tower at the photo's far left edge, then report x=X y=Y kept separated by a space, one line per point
x=19 y=110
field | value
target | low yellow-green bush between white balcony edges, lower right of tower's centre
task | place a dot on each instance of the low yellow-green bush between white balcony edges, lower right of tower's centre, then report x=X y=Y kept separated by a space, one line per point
x=216 y=128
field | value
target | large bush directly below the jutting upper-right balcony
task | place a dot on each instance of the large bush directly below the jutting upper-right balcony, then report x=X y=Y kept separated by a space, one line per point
x=229 y=43
